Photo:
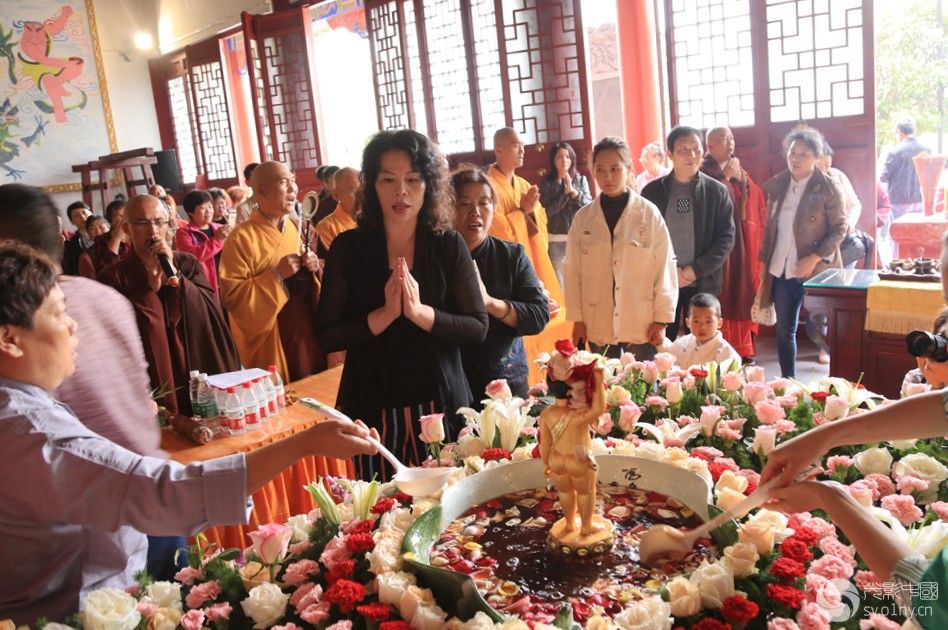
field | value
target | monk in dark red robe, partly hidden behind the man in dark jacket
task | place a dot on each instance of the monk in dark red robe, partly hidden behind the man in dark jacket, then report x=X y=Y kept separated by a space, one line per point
x=741 y=270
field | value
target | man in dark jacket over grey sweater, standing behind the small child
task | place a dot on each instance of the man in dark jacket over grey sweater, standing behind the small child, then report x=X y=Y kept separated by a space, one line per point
x=698 y=212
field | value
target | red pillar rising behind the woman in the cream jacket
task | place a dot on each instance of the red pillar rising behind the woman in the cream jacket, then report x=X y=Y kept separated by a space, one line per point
x=638 y=67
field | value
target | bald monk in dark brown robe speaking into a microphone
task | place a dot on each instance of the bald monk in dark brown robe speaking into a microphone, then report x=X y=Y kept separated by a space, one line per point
x=178 y=315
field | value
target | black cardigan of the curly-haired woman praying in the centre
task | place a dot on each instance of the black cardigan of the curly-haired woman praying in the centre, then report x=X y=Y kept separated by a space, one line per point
x=354 y=285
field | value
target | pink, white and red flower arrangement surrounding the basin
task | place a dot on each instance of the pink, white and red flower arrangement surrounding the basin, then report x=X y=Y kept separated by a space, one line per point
x=340 y=565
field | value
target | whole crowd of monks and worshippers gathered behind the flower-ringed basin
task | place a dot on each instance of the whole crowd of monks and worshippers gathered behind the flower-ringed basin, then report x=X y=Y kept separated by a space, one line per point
x=426 y=284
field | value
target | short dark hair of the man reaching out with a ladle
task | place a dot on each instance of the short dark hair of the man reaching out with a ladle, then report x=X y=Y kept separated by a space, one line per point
x=27 y=276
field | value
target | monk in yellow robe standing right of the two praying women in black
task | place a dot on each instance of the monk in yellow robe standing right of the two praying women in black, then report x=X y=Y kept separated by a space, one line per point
x=520 y=218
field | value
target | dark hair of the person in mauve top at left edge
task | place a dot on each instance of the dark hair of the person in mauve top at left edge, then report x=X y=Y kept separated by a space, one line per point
x=28 y=215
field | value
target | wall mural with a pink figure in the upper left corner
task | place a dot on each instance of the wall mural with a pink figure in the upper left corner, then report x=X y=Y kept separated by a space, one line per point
x=54 y=107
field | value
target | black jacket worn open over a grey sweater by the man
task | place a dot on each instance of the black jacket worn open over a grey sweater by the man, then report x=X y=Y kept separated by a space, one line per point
x=714 y=226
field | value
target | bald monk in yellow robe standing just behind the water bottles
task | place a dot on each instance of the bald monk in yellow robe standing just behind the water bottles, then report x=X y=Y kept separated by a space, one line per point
x=269 y=289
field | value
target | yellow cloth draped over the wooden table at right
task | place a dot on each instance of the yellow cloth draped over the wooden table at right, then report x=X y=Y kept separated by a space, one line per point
x=898 y=307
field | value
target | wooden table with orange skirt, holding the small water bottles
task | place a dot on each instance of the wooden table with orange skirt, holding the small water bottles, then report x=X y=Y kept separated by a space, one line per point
x=284 y=496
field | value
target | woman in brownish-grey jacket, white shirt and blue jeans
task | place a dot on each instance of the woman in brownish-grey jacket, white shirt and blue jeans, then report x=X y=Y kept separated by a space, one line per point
x=806 y=222
